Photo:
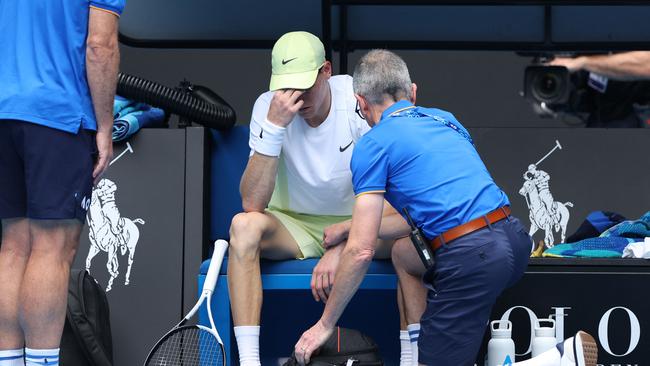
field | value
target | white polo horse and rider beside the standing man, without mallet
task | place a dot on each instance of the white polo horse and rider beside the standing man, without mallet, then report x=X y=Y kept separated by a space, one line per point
x=109 y=232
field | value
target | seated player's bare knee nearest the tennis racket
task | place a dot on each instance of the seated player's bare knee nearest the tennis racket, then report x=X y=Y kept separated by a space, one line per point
x=246 y=230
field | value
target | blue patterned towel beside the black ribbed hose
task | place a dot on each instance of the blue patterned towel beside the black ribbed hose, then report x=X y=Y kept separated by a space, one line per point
x=129 y=117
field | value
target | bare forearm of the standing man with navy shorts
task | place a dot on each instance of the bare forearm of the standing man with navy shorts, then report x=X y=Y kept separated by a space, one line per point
x=102 y=65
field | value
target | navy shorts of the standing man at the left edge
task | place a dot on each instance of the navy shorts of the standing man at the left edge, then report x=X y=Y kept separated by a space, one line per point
x=45 y=173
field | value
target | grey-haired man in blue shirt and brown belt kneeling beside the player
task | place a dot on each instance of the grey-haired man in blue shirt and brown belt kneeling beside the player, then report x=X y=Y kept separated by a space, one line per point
x=423 y=160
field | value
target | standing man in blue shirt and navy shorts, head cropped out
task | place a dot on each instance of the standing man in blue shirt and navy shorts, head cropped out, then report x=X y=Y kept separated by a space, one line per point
x=58 y=75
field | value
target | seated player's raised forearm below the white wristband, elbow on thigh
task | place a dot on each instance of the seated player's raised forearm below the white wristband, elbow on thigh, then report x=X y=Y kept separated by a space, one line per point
x=258 y=181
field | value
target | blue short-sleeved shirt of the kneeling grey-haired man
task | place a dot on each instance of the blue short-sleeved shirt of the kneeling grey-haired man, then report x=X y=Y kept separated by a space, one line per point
x=424 y=160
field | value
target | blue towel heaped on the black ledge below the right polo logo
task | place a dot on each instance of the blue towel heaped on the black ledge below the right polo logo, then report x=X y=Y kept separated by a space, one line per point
x=609 y=244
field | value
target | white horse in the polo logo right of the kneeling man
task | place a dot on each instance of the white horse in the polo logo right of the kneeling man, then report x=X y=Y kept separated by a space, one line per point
x=541 y=218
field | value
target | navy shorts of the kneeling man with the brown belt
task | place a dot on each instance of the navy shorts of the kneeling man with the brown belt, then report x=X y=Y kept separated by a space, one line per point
x=469 y=274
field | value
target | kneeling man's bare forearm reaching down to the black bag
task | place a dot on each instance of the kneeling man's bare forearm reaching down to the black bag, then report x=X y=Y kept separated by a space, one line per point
x=354 y=264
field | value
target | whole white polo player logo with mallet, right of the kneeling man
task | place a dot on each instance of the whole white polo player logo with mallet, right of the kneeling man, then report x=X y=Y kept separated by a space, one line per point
x=544 y=212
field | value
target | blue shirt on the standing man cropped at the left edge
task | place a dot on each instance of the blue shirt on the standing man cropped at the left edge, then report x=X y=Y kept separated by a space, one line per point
x=43 y=67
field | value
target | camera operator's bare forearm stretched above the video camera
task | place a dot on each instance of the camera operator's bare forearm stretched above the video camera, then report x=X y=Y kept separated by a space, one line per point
x=622 y=66
